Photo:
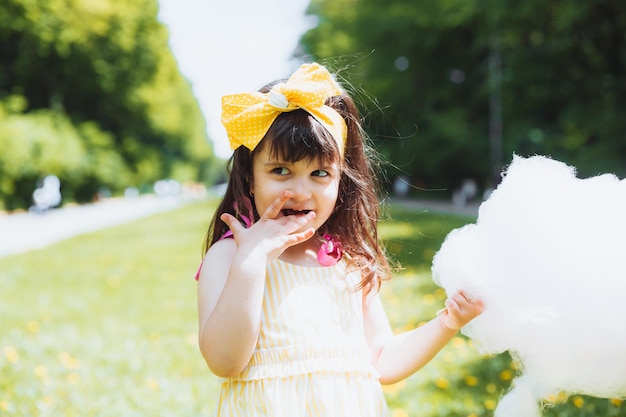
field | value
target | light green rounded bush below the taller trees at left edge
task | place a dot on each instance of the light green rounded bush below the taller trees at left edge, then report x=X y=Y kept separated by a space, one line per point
x=46 y=142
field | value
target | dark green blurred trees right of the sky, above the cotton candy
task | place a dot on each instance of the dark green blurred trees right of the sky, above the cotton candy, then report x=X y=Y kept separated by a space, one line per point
x=443 y=72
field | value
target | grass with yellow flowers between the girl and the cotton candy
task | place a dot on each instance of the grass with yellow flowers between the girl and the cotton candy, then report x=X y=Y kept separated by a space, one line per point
x=458 y=382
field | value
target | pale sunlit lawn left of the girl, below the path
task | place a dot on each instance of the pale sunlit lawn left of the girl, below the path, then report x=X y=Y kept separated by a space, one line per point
x=105 y=324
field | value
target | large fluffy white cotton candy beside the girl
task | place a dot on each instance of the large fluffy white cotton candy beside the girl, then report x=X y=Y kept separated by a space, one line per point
x=547 y=255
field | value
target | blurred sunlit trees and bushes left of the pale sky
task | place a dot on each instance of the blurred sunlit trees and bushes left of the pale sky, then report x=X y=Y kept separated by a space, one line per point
x=106 y=70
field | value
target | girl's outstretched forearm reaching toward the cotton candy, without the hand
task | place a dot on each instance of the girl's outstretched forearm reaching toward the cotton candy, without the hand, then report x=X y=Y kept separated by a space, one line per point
x=406 y=353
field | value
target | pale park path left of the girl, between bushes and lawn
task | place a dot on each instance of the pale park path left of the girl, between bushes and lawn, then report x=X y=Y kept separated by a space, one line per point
x=21 y=232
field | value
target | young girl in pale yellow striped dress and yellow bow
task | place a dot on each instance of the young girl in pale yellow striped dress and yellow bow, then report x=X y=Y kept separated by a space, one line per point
x=288 y=302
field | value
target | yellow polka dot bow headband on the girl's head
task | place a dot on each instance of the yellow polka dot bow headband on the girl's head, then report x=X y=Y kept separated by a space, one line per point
x=248 y=116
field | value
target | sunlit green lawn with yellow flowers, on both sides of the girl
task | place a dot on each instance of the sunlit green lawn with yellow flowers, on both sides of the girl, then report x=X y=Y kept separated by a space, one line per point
x=105 y=324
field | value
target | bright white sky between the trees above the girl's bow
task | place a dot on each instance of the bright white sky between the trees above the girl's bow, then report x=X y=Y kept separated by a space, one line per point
x=232 y=46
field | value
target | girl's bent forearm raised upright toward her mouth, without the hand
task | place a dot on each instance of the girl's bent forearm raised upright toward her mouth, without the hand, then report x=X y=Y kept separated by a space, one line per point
x=229 y=335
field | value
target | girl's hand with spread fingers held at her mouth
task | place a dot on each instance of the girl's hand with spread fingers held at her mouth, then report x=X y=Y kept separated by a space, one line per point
x=271 y=234
